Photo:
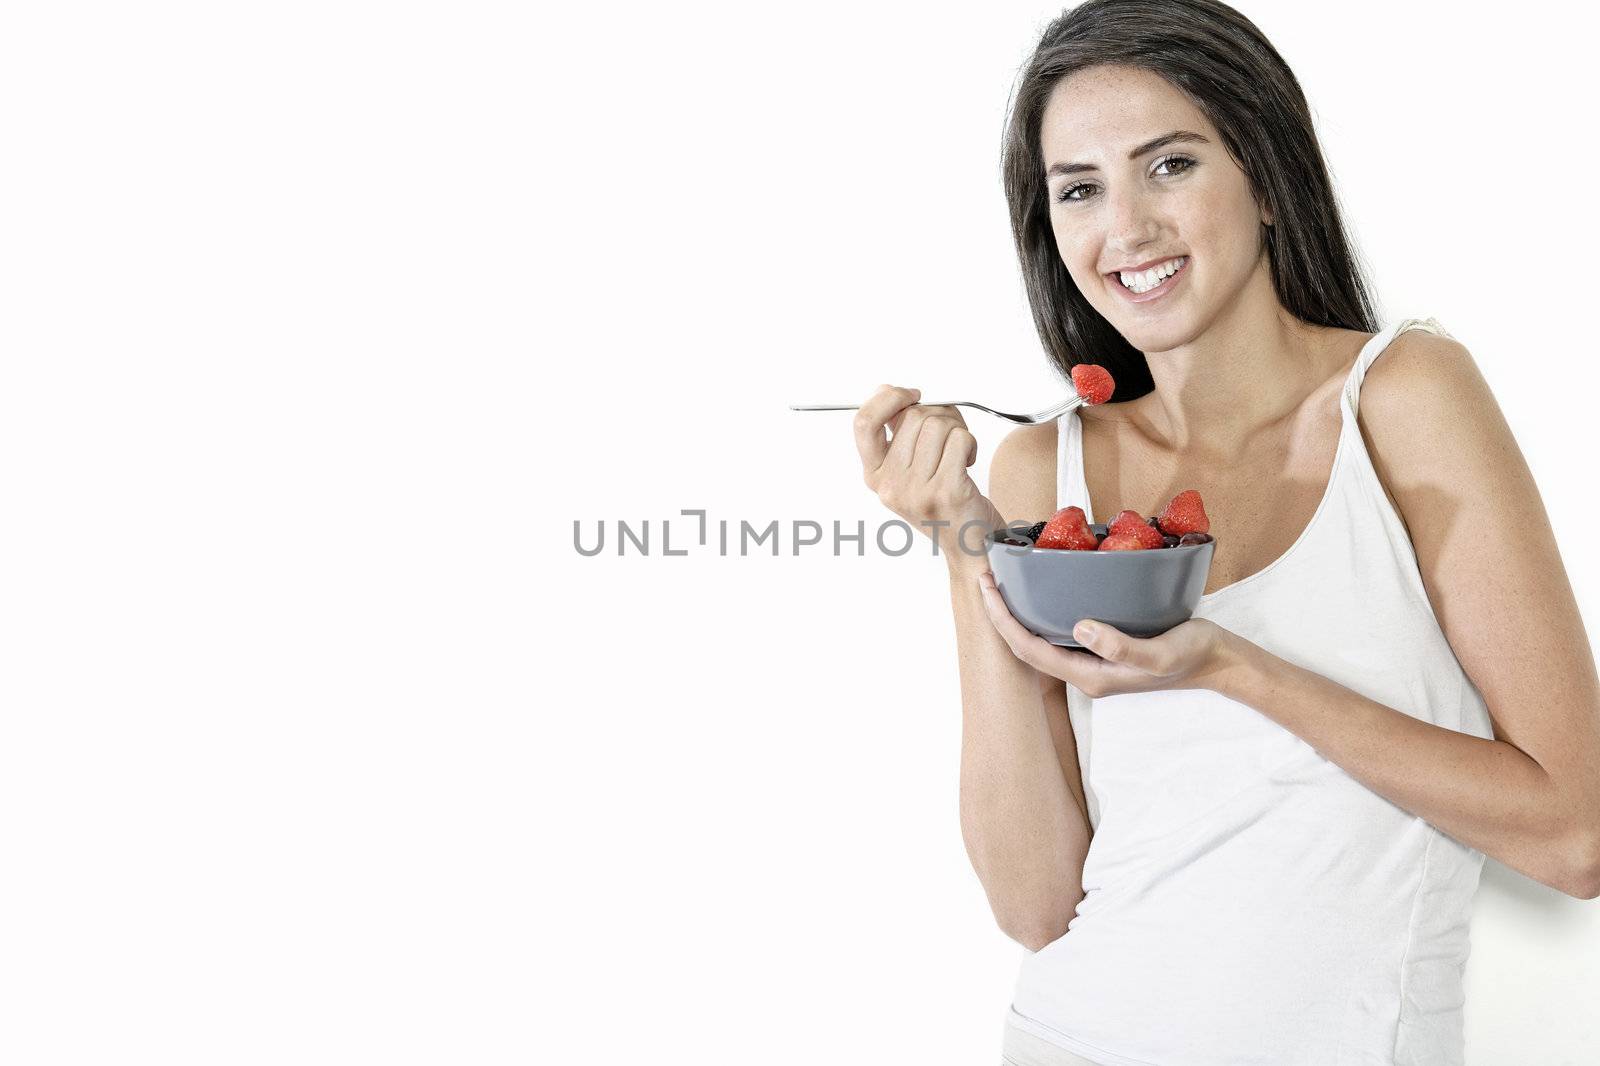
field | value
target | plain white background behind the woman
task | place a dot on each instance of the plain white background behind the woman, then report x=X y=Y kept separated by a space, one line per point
x=324 y=323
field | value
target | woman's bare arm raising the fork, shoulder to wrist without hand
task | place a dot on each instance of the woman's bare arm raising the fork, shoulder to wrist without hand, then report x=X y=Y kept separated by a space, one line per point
x=1023 y=811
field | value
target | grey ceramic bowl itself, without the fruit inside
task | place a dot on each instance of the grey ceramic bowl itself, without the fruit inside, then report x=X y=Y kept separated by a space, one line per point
x=1142 y=593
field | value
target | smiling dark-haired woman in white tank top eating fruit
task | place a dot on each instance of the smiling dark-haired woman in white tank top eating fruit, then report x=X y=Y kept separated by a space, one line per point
x=1290 y=796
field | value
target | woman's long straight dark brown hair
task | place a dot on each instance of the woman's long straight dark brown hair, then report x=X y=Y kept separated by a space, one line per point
x=1233 y=73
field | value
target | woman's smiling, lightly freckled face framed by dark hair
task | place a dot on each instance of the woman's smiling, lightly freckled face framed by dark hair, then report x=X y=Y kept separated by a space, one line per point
x=1178 y=199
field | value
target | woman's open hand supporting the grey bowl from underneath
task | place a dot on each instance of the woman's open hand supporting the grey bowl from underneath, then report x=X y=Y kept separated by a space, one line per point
x=1185 y=657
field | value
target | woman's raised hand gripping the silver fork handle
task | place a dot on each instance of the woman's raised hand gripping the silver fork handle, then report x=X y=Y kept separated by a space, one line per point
x=922 y=473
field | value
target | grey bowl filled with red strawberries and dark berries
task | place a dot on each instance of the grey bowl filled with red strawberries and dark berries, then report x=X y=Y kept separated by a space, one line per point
x=1140 y=575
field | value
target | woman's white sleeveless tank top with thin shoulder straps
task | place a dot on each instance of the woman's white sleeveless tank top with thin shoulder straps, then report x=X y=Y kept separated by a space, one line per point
x=1247 y=902
